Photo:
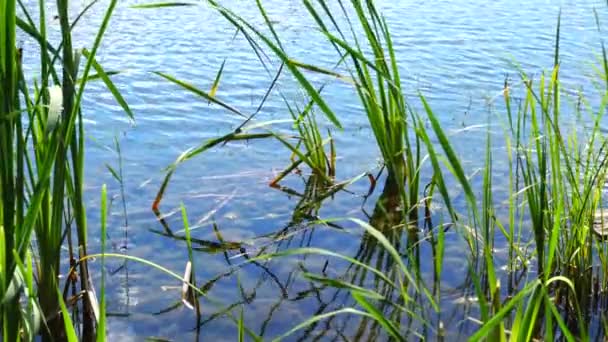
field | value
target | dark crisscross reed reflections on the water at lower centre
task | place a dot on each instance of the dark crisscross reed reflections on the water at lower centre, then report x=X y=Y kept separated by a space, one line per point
x=320 y=284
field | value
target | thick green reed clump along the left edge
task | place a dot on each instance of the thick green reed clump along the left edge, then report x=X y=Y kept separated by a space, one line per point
x=42 y=170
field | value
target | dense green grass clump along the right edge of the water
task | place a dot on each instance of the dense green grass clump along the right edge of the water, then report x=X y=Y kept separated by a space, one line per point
x=561 y=178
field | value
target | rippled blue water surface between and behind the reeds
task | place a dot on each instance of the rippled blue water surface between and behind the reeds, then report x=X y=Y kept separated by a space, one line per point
x=456 y=52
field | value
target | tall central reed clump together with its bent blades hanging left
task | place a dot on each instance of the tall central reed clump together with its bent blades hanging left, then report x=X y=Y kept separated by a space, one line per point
x=376 y=78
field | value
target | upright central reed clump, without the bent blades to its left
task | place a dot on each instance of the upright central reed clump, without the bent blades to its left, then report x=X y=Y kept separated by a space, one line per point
x=378 y=84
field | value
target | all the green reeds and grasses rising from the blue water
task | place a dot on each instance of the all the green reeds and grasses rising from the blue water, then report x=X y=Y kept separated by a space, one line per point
x=550 y=288
